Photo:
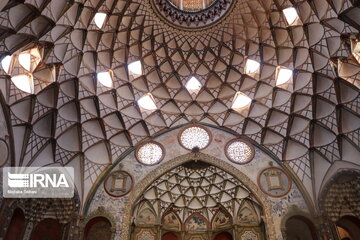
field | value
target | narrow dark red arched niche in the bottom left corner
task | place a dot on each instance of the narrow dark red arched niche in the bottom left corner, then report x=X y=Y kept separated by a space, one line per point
x=16 y=227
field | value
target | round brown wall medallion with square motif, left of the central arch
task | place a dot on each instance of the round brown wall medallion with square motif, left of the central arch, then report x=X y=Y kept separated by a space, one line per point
x=118 y=183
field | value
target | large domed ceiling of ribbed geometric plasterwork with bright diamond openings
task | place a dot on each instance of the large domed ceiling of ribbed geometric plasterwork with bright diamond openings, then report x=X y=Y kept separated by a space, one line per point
x=68 y=114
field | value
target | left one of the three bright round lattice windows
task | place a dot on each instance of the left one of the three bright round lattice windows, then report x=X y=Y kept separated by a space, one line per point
x=150 y=153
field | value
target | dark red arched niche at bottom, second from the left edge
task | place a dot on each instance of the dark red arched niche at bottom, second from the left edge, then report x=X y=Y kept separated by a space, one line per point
x=48 y=228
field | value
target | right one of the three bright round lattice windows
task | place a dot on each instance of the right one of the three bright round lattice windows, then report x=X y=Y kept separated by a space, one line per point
x=239 y=151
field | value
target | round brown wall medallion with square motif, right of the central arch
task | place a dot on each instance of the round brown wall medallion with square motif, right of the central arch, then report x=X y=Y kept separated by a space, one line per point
x=274 y=182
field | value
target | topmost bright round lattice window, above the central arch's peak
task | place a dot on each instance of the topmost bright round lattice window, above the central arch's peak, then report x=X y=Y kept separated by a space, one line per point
x=194 y=137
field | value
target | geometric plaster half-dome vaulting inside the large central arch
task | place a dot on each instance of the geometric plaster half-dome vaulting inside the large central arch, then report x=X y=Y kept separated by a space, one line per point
x=198 y=187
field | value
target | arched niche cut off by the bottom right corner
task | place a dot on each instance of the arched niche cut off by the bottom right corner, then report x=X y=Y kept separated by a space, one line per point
x=348 y=227
